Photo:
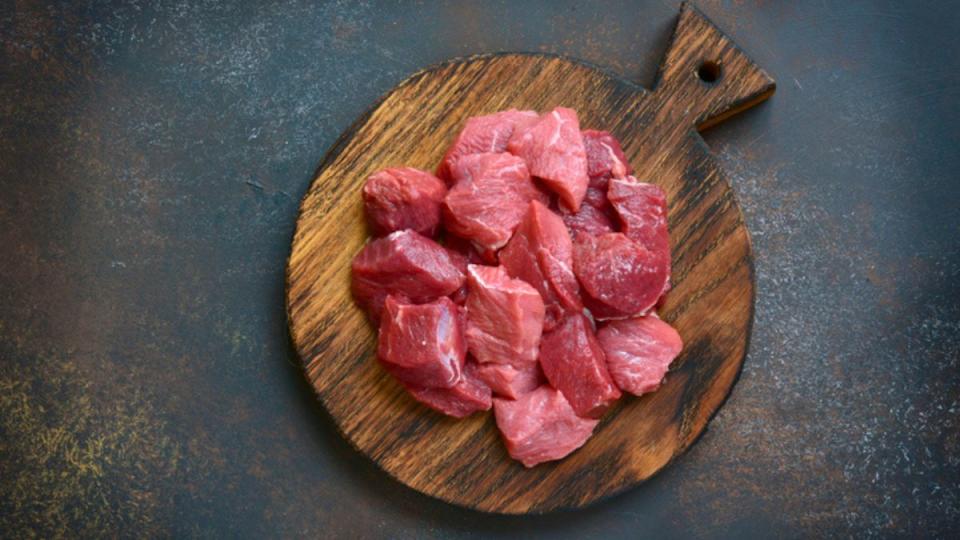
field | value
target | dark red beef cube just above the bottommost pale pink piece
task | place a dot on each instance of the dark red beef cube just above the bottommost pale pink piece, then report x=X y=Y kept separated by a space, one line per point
x=573 y=362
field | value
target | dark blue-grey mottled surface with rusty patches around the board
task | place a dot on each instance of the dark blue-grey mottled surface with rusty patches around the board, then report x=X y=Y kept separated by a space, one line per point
x=151 y=160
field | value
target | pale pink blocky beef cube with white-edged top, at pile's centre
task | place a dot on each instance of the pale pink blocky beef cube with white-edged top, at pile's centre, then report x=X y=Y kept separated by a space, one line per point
x=504 y=317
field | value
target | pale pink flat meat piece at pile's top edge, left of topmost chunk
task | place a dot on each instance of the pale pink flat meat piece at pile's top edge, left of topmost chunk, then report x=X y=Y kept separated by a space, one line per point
x=484 y=134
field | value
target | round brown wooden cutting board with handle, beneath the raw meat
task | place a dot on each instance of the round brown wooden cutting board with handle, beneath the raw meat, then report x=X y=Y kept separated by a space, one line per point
x=704 y=79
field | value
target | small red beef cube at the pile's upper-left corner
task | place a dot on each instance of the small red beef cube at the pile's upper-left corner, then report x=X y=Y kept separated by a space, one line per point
x=403 y=198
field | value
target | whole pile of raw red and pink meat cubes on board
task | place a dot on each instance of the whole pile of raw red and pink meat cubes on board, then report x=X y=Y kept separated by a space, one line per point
x=522 y=276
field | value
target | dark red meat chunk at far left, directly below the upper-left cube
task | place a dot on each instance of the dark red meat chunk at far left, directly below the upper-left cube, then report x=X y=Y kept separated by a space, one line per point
x=403 y=263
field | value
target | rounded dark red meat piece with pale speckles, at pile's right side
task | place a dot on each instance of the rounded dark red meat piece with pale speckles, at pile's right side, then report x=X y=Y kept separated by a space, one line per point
x=620 y=278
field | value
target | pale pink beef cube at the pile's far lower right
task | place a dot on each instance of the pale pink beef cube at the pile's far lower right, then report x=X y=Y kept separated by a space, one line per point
x=639 y=352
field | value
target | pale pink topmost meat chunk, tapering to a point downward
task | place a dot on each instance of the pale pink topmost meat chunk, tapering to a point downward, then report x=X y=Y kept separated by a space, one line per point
x=553 y=149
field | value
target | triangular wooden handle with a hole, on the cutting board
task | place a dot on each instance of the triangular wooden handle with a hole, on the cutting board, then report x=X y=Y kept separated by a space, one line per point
x=704 y=77
